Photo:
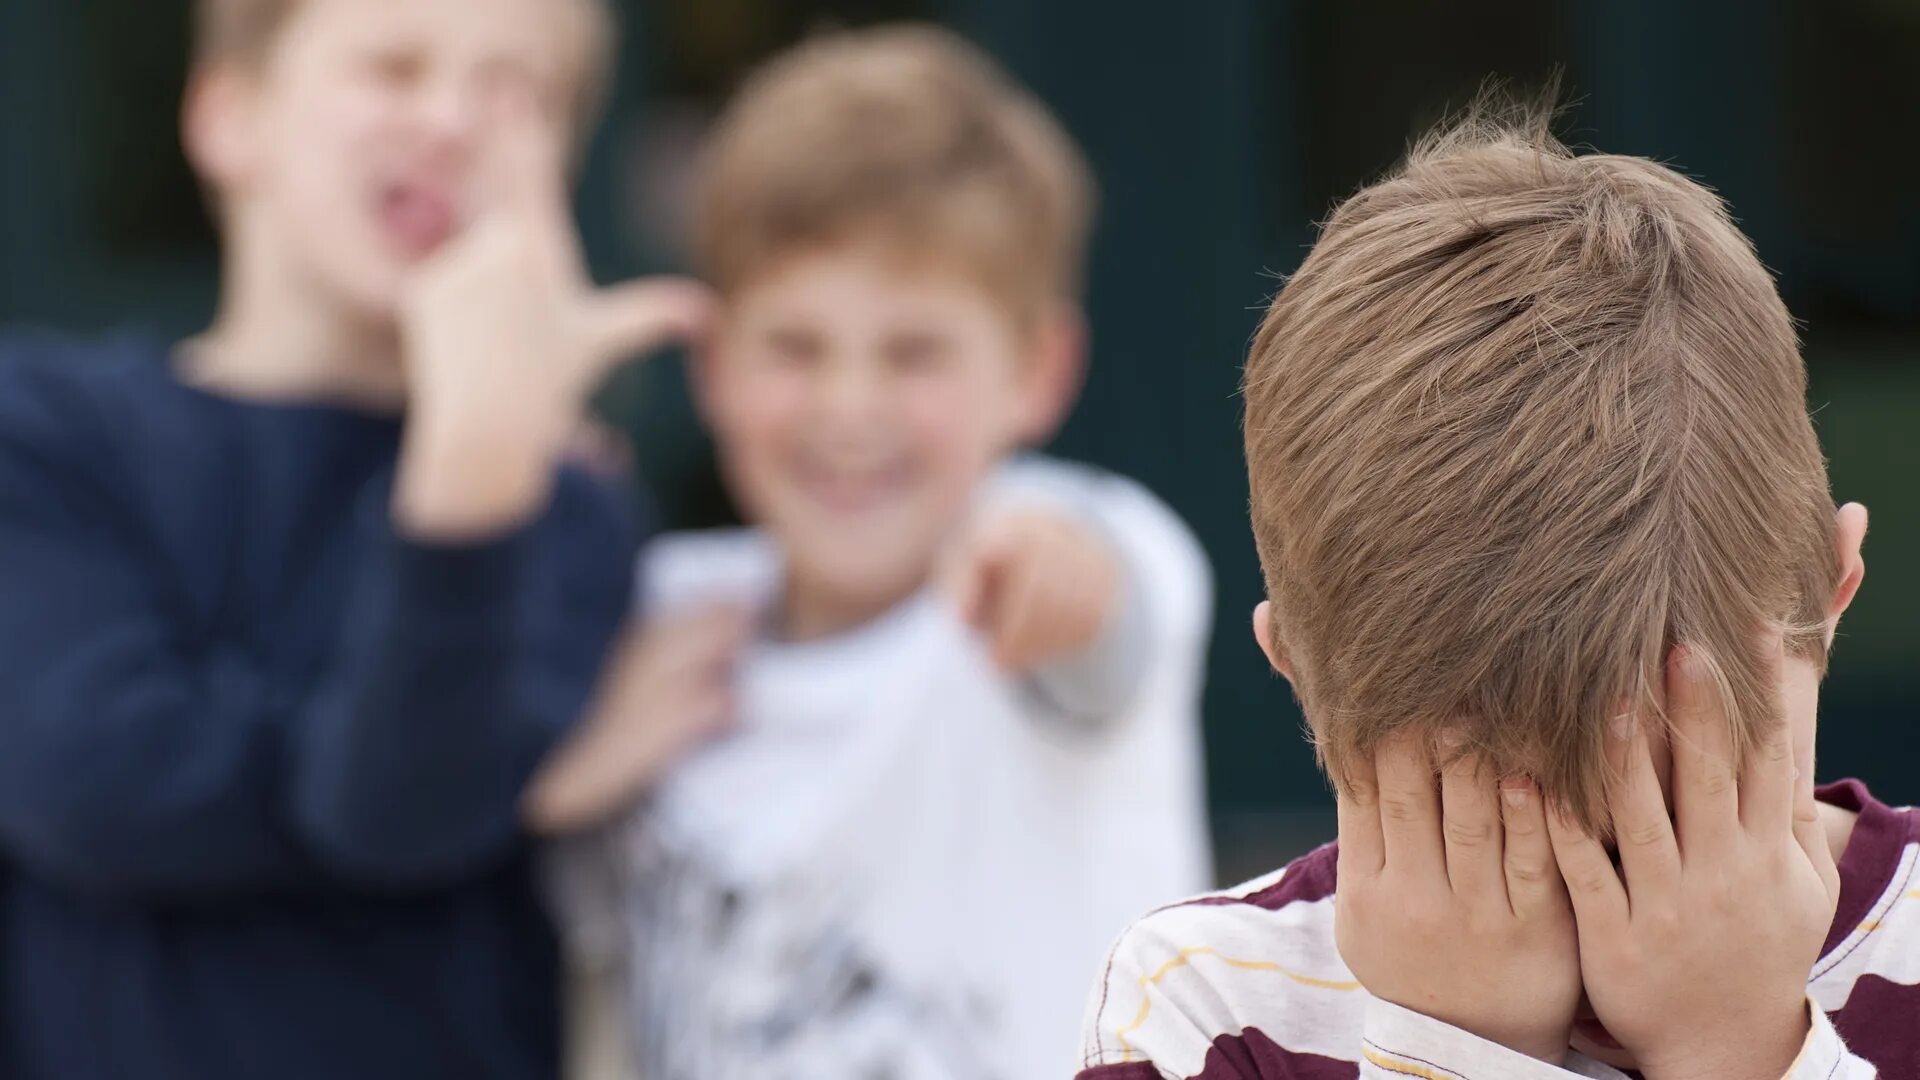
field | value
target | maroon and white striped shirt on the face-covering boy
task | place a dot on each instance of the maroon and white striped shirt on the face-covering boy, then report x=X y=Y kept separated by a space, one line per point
x=1249 y=985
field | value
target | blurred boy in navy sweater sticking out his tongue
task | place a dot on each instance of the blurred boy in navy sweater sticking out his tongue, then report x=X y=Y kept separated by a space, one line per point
x=295 y=610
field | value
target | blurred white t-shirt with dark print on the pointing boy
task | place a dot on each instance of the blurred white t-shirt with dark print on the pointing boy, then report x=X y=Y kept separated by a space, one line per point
x=905 y=864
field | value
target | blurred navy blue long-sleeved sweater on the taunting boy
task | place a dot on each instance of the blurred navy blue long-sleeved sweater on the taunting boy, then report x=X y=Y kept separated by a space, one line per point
x=260 y=754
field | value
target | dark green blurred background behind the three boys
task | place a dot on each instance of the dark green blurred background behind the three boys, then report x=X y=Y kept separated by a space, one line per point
x=1220 y=132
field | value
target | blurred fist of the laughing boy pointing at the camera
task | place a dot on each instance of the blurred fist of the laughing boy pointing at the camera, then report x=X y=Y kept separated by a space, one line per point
x=1038 y=585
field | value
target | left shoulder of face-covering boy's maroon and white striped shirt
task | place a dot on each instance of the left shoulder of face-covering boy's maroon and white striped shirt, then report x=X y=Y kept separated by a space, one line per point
x=1251 y=971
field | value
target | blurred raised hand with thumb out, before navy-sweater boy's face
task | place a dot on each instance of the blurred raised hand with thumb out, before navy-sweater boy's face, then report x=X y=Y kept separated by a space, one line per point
x=506 y=339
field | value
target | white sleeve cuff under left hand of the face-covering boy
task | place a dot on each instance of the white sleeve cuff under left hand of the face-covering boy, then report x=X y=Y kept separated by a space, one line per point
x=1401 y=1043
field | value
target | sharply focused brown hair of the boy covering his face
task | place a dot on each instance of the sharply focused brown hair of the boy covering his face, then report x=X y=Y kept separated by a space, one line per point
x=1520 y=424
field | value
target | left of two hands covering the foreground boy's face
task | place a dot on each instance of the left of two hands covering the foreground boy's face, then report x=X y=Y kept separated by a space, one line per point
x=1451 y=902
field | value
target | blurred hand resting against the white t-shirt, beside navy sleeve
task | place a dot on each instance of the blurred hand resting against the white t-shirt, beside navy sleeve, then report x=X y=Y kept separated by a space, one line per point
x=667 y=687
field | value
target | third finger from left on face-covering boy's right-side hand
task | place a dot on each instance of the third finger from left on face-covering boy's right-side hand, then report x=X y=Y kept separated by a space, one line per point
x=1706 y=795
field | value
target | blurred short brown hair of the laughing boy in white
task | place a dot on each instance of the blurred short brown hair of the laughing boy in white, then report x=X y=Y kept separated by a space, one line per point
x=901 y=135
